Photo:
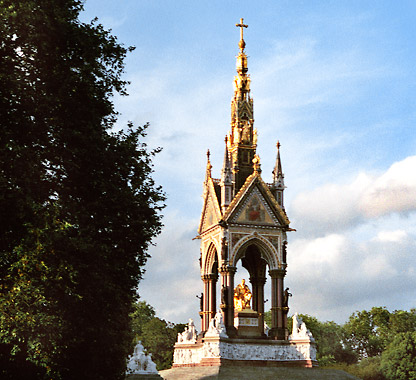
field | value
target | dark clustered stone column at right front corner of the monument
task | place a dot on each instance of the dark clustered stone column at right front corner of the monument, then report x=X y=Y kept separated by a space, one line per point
x=278 y=328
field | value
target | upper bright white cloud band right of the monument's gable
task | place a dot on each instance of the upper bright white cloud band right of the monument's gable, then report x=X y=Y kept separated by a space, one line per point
x=337 y=207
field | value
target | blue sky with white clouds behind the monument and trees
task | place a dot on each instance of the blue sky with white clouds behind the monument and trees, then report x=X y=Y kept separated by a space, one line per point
x=335 y=83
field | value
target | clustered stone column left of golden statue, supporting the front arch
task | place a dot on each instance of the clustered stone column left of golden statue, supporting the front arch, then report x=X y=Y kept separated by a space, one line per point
x=227 y=298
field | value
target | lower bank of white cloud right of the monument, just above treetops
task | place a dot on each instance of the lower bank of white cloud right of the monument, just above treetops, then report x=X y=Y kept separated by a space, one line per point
x=334 y=275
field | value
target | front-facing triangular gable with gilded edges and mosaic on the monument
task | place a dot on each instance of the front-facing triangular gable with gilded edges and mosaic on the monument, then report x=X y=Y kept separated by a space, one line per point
x=255 y=204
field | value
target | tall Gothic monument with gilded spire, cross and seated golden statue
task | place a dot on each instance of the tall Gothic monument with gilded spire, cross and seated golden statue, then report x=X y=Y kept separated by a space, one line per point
x=244 y=218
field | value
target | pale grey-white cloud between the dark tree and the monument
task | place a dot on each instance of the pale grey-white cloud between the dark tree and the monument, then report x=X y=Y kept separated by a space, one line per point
x=172 y=278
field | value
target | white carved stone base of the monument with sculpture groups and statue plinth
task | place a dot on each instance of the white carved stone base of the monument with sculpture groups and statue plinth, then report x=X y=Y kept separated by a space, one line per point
x=250 y=347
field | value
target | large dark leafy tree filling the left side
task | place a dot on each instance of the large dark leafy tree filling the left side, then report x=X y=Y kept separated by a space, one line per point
x=78 y=204
